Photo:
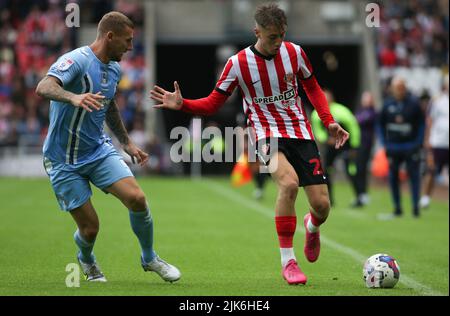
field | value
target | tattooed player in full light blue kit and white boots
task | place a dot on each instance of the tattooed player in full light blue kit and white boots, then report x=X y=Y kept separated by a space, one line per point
x=81 y=86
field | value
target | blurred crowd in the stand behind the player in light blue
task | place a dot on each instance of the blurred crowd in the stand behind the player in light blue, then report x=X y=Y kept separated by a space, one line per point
x=33 y=34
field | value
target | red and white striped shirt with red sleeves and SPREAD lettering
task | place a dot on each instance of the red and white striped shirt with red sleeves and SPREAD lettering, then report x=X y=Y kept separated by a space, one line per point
x=269 y=87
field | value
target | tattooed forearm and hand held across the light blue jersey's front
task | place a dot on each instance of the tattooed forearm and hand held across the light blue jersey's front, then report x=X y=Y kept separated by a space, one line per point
x=51 y=88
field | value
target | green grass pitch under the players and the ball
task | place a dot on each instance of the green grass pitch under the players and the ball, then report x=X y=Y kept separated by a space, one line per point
x=222 y=240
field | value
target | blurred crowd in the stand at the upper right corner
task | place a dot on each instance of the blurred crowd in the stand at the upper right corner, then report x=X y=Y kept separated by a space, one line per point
x=413 y=33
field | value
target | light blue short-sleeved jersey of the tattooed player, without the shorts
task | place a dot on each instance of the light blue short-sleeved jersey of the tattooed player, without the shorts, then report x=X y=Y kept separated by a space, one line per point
x=76 y=136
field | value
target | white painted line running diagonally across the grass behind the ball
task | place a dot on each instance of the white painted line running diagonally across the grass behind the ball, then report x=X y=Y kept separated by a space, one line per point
x=250 y=204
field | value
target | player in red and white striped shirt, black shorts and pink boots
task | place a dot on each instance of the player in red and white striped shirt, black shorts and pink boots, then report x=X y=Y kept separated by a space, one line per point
x=268 y=75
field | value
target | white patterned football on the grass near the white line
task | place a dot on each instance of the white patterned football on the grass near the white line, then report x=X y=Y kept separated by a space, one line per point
x=381 y=271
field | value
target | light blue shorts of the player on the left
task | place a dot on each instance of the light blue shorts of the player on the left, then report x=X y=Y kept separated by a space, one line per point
x=71 y=184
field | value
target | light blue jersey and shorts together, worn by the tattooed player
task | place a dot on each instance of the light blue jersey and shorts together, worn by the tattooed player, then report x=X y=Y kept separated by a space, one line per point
x=76 y=150
